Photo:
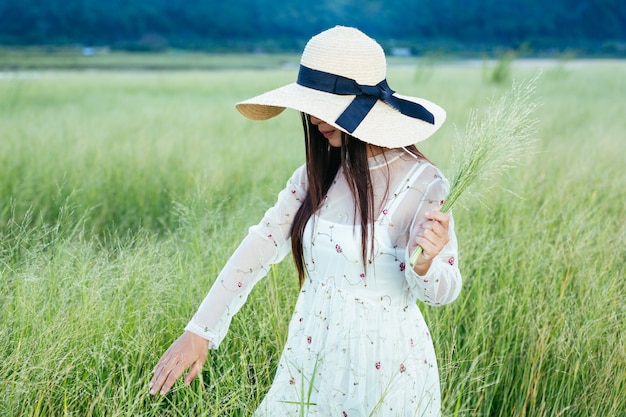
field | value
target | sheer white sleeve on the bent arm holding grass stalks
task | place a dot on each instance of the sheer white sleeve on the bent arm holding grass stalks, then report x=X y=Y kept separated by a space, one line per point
x=442 y=283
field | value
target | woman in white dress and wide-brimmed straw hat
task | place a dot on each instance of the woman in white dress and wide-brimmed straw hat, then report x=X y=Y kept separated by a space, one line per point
x=365 y=199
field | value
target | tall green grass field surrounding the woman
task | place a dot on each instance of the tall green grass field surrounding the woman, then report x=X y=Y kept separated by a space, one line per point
x=123 y=193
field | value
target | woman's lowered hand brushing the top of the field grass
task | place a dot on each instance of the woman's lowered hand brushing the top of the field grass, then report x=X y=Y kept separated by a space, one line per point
x=189 y=350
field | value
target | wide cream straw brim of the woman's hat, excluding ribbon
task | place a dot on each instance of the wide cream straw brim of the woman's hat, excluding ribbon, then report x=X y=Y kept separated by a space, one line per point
x=383 y=125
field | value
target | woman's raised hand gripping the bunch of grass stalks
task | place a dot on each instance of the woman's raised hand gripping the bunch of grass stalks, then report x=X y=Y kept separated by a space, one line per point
x=432 y=237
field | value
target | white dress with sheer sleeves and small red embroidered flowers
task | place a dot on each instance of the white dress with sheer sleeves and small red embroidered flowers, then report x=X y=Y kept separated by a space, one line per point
x=357 y=343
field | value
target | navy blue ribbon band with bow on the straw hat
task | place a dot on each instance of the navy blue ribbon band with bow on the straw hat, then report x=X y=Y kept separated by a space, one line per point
x=366 y=97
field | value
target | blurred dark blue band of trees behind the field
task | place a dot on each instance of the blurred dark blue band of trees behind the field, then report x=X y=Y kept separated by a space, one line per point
x=589 y=25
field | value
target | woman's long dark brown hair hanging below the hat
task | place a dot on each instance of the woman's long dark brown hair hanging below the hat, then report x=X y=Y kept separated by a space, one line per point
x=322 y=164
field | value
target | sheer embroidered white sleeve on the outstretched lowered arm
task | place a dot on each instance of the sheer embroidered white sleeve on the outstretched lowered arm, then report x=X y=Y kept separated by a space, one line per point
x=267 y=243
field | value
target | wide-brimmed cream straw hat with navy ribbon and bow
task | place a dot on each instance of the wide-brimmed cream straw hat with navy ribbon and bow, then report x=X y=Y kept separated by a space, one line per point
x=342 y=80
